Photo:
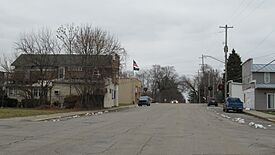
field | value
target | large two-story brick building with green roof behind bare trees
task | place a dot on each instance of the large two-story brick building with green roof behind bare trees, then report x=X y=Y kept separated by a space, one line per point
x=62 y=75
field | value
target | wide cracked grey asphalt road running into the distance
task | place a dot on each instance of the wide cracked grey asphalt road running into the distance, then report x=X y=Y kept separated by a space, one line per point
x=161 y=129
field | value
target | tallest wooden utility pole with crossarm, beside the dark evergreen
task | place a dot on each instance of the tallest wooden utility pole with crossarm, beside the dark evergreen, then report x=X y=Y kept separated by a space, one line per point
x=225 y=60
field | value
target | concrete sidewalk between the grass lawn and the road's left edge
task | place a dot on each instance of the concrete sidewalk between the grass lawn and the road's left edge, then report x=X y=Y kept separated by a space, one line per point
x=68 y=114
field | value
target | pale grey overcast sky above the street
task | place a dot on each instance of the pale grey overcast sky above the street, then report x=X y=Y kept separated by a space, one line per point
x=165 y=32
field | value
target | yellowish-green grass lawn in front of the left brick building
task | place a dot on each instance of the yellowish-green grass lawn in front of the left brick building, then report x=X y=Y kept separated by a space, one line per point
x=19 y=112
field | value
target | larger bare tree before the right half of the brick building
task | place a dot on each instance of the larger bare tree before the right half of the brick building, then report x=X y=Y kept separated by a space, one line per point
x=92 y=44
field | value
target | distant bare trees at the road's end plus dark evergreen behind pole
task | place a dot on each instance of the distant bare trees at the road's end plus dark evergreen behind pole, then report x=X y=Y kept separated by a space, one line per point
x=164 y=84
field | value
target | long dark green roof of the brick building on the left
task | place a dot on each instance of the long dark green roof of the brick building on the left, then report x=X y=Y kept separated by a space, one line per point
x=62 y=60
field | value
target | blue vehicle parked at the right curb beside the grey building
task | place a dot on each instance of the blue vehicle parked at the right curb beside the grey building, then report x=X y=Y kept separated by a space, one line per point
x=233 y=103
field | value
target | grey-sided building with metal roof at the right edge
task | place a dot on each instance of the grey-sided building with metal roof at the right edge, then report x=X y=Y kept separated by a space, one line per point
x=258 y=85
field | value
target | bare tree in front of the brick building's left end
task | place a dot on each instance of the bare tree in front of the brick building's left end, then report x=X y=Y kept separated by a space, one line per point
x=36 y=47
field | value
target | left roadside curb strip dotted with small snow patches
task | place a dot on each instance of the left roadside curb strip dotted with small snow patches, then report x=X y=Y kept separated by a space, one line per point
x=82 y=113
